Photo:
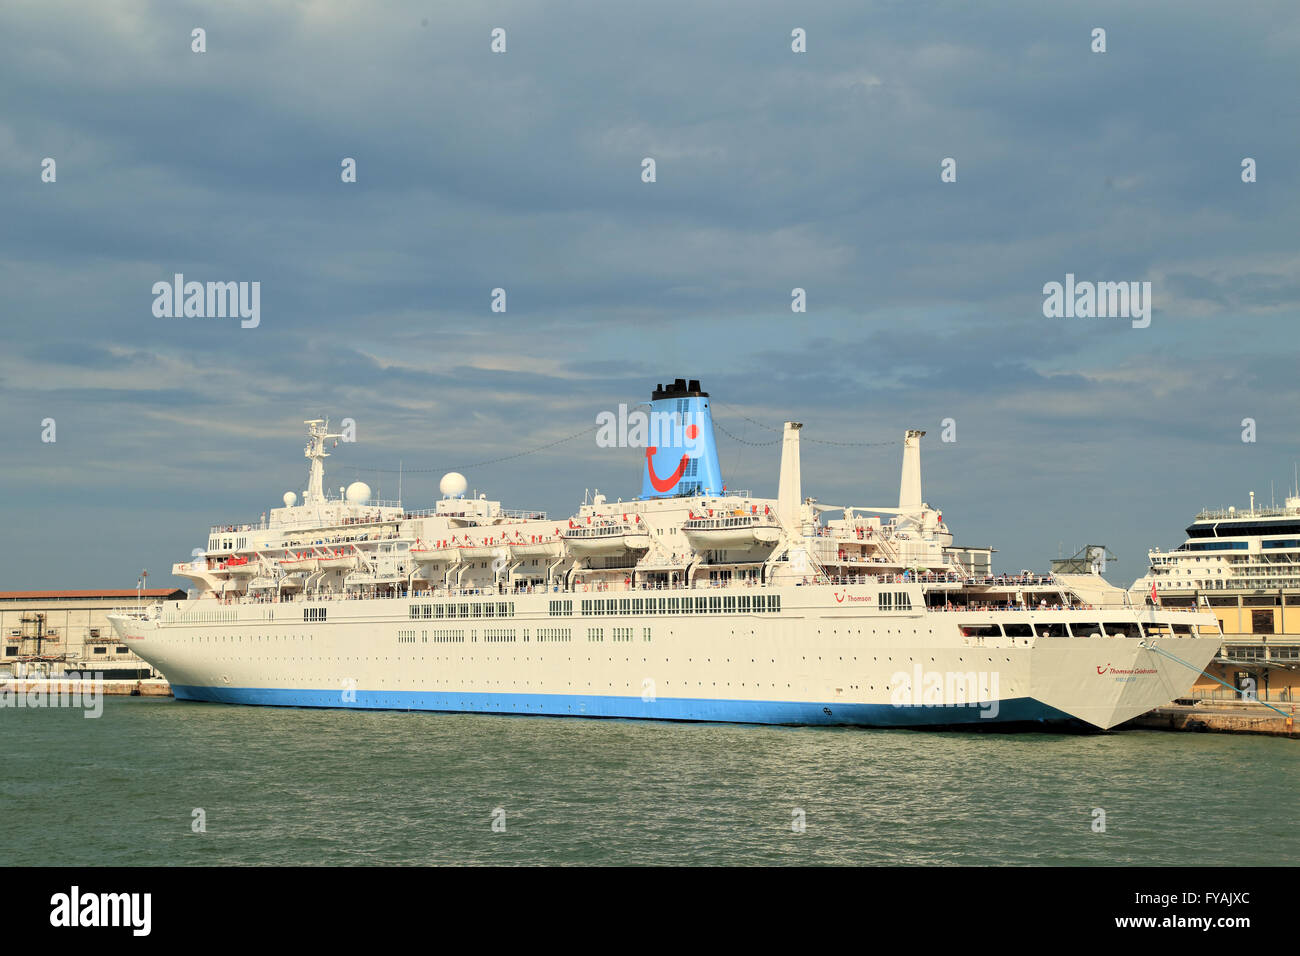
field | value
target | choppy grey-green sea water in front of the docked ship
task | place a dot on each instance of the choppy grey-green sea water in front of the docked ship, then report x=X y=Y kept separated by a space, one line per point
x=287 y=786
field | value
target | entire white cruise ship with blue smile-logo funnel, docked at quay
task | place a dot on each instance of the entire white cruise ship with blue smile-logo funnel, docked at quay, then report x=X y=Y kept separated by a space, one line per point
x=691 y=602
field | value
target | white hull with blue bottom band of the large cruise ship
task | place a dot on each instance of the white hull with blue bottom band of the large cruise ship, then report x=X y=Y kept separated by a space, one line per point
x=818 y=660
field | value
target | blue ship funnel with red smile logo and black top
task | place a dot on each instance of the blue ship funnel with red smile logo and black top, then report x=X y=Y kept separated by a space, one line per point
x=682 y=456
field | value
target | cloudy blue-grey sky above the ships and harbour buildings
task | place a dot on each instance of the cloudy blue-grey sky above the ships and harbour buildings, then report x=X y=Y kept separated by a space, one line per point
x=525 y=171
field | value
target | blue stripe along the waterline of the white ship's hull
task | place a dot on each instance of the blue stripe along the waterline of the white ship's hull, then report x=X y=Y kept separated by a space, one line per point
x=1016 y=711
